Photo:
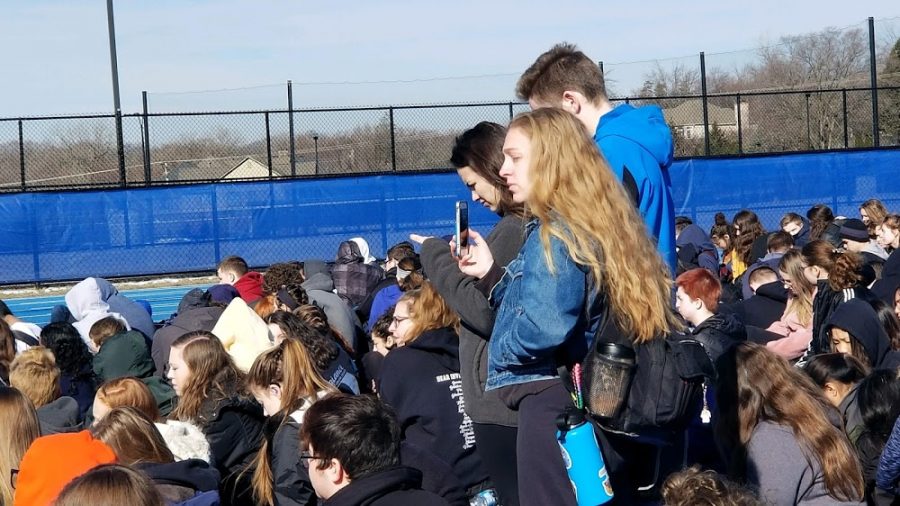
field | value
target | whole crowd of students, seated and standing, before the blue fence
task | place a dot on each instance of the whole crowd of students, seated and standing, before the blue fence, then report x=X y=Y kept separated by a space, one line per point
x=432 y=378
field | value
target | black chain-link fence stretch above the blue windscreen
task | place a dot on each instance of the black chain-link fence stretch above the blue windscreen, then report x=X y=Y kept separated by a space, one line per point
x=161 y=148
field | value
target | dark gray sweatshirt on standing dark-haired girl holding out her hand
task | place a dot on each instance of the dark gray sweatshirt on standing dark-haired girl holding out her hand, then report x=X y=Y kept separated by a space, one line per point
x=459 y=290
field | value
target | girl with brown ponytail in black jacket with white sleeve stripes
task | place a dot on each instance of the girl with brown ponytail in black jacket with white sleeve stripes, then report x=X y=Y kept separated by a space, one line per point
x=836 y=277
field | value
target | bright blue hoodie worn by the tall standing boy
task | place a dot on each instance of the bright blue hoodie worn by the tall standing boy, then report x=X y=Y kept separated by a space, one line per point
x=640 y=140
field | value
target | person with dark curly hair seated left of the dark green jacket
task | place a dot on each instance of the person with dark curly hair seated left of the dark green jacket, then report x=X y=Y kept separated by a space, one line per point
x=75 y=362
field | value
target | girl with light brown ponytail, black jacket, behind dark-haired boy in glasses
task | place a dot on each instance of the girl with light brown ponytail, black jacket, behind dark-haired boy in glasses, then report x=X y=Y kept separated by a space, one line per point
x=285 y=381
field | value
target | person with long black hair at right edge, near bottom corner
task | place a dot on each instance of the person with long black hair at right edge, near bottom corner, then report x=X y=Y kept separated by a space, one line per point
x=879 y=405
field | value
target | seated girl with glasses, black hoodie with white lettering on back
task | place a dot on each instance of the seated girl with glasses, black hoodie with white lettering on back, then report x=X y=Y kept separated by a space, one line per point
x=420 y=379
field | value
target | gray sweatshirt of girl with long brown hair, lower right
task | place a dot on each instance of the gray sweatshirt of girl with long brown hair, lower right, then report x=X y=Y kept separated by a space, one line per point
x=779 y=467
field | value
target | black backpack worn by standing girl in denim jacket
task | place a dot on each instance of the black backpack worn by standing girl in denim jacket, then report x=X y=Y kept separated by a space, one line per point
x=666 y=389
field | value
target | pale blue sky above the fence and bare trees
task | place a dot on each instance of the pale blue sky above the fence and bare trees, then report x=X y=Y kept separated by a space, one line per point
x=56 y=55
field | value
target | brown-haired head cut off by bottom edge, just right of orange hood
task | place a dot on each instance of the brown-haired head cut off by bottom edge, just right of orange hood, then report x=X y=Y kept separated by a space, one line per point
x=111 y=484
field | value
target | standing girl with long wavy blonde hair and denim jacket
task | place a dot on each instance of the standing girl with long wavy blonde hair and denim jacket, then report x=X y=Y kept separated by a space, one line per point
x=587 y=247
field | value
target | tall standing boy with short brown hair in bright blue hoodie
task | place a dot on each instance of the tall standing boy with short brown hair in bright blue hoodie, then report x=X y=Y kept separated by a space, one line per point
x=636 y=142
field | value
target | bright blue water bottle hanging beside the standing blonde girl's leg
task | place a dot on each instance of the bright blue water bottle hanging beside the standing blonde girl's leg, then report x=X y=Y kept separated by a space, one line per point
x=583 y=460
